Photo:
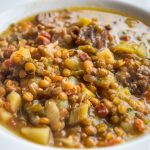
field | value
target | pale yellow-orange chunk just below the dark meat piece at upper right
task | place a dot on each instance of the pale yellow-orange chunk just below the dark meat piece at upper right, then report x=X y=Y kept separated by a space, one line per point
x=106 y=56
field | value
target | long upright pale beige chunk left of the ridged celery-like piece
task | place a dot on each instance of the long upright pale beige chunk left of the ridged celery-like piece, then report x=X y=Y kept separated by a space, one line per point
x=52 y=112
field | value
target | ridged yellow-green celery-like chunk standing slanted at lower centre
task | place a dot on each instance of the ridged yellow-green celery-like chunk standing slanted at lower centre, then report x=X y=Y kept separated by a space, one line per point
x=78 y=114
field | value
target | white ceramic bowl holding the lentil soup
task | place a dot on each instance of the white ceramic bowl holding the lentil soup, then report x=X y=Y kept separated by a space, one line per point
x=9 y=141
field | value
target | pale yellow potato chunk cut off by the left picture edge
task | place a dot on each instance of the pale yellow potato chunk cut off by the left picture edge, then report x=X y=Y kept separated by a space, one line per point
x=5 y=116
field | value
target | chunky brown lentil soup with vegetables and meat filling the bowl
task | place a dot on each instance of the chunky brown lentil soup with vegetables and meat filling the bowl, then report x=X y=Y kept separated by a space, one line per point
x=76 y=78
